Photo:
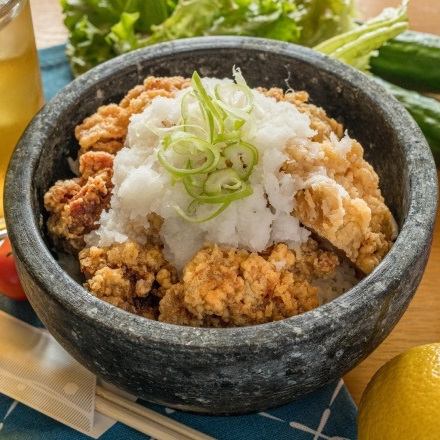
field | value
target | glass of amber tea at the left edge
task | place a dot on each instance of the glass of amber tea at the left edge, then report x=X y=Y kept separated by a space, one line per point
x=20 y=83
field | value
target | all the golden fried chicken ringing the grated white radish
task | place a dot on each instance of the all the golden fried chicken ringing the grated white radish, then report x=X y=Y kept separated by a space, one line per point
x=221 y=286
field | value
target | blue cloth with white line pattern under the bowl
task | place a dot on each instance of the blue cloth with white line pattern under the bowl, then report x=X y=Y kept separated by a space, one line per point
x=330 y=408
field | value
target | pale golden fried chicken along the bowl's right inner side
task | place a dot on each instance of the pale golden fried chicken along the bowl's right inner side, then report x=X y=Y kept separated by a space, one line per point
x=341 y=201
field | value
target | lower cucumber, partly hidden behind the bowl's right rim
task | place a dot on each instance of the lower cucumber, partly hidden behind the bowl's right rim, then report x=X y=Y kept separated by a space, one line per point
x=424 y=110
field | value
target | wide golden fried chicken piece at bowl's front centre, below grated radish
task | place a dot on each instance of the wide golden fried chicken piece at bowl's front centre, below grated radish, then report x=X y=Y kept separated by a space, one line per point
x=230 y=287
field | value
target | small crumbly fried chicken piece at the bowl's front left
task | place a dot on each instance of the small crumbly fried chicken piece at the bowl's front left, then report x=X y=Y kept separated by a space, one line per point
x=123 y=275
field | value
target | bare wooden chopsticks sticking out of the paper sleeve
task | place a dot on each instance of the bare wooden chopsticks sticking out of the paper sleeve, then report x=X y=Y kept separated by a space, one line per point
x=143 y=419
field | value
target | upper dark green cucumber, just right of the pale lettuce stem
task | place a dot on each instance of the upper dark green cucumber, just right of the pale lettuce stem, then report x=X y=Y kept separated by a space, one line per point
x=411 y=60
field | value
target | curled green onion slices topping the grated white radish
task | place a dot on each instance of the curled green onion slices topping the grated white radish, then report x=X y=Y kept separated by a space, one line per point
x=205 y=151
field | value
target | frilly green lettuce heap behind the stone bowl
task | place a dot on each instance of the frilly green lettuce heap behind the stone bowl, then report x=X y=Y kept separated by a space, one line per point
x=102 y=29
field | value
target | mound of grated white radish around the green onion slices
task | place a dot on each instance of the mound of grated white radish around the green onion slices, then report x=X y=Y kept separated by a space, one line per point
x=142 y=186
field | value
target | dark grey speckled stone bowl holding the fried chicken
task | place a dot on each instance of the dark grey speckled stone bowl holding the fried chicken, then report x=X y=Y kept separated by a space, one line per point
x=233 y=370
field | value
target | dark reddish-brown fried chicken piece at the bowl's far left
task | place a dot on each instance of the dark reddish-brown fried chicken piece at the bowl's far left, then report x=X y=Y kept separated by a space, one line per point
x=76 y=204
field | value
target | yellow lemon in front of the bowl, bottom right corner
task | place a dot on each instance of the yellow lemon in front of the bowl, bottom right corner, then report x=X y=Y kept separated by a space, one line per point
x=402 y=400
